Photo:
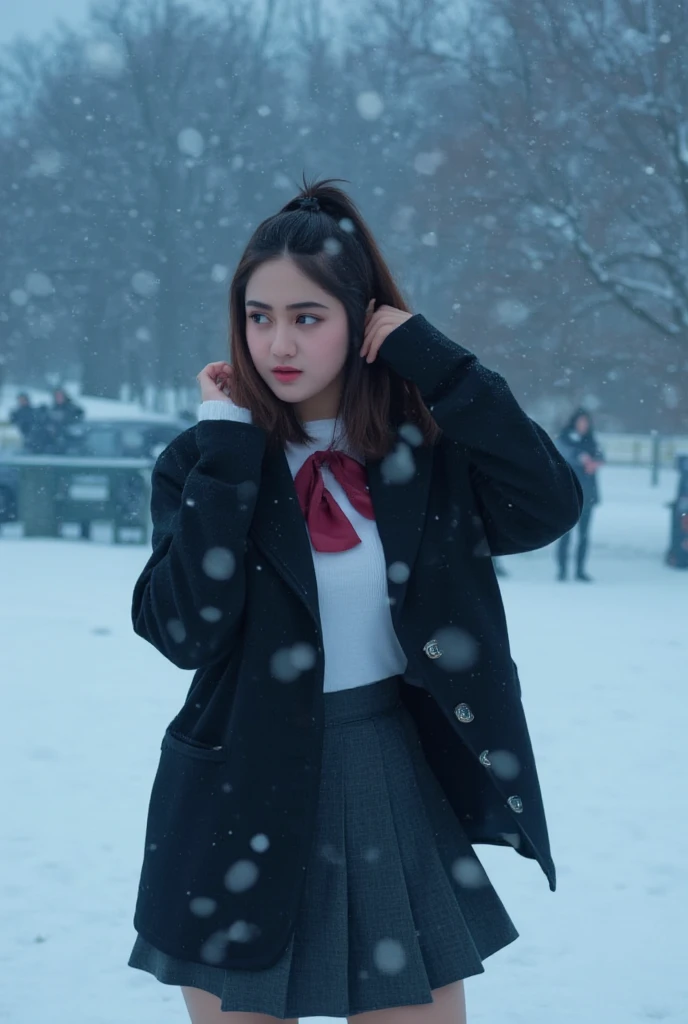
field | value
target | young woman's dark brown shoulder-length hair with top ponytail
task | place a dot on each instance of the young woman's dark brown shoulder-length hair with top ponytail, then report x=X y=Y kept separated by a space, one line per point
x=334 y=247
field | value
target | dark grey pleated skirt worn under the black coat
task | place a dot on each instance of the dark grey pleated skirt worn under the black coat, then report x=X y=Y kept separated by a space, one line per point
x=397 y=904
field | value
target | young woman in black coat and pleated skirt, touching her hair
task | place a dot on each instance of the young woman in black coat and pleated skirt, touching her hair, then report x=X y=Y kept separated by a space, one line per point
x=322 y=558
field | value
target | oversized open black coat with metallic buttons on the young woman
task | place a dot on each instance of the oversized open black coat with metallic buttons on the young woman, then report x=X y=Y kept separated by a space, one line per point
x=231 y=589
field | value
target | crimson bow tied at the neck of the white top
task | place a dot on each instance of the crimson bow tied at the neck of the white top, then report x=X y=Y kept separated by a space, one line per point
x=329 y=528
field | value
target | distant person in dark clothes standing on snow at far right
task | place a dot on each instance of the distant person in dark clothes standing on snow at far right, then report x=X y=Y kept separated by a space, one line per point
x=579 y=447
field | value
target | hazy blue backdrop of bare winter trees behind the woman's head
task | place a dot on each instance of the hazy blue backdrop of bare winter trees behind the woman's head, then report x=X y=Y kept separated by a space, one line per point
x=525 y=167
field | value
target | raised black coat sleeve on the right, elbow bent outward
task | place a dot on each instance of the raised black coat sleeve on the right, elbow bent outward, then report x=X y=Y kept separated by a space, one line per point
x=527 y=493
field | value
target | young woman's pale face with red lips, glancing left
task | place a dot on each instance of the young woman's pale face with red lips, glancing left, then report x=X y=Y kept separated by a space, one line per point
x=292 y=323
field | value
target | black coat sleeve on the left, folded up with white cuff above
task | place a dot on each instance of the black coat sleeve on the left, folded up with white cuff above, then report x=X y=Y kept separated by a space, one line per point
x=189 y=601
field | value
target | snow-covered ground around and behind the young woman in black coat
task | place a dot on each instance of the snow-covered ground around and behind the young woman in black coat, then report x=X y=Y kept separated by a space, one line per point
x=605 y=670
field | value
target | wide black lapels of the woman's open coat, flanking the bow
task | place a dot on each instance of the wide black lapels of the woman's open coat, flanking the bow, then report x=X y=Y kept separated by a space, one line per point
x=400 y=486
